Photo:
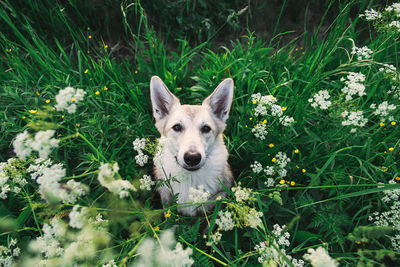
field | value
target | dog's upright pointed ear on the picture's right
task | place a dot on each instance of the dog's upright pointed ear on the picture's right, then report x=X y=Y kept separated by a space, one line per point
x=221 y=99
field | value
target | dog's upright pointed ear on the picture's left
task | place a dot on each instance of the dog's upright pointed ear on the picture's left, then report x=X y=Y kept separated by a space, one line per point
x=162 y=99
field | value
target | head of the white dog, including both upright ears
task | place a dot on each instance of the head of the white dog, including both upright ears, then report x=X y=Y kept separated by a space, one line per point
x=191 y=129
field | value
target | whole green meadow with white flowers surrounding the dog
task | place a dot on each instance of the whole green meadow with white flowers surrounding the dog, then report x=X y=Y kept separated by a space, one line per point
x=313 y=133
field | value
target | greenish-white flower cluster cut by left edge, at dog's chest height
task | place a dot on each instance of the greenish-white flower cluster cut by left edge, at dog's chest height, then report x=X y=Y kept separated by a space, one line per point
x=11 y=179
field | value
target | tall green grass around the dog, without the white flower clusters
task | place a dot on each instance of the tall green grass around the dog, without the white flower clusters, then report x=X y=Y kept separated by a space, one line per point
x=331 y=200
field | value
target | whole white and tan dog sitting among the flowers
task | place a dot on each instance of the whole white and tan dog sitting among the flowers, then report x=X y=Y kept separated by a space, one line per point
x=191 y=150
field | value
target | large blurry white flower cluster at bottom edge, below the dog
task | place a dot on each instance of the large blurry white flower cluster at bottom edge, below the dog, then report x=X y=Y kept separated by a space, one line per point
x=165 y=254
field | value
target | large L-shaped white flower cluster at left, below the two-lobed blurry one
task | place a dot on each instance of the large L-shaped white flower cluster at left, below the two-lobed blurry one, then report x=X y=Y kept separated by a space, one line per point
x=48 y=177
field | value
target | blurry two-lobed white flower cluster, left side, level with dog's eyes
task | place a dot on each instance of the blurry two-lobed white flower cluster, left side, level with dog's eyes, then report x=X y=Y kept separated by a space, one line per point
x=42 y=143
